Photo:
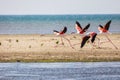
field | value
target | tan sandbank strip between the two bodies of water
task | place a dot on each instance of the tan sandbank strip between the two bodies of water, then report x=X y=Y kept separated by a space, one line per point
x=47 y=48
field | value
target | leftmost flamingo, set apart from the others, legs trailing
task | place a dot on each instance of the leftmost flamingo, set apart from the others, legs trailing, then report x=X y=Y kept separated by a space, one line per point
x=61 y=34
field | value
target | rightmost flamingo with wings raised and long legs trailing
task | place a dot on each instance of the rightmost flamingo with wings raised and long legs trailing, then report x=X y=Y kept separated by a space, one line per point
x=104 y=29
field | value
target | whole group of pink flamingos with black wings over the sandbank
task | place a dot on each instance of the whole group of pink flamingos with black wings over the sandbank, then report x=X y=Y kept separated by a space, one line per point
x=91 y=36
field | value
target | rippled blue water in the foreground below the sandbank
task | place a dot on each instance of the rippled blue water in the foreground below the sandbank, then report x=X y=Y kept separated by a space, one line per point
x=60 y=71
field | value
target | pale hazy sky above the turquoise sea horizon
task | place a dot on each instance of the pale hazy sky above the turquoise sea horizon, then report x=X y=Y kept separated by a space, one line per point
x=28 y=7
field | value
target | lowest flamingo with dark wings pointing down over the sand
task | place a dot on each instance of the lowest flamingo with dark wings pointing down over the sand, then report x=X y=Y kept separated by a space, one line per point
x=85 y=38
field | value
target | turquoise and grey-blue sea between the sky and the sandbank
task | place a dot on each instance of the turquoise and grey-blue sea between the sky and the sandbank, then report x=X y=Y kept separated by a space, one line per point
x=45 y=24
